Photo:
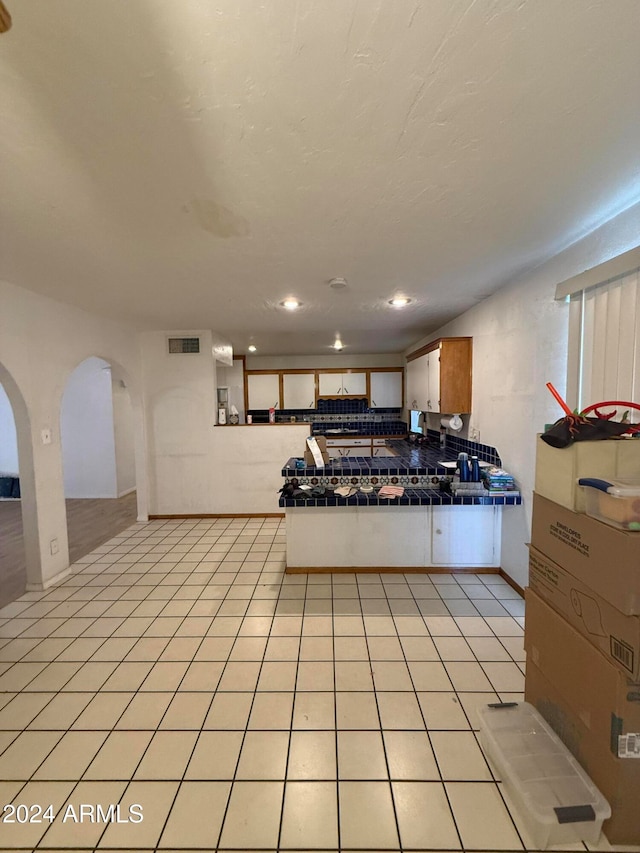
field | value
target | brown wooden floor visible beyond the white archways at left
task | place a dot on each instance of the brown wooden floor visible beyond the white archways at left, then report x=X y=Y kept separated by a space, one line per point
x=90 y=522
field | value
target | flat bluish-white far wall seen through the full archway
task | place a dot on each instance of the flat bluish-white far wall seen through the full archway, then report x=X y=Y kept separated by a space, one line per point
x=86 y=431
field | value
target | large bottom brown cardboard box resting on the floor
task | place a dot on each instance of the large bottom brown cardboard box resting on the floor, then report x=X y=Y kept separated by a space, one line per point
x=590 y=704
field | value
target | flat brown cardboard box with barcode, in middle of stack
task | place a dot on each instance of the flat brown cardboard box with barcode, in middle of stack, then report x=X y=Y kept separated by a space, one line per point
x=617 y=636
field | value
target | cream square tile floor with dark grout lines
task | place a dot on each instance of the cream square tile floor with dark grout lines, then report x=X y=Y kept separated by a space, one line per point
x=178 y=668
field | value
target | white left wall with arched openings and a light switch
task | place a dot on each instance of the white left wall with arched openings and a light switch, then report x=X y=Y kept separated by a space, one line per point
x=41 y=343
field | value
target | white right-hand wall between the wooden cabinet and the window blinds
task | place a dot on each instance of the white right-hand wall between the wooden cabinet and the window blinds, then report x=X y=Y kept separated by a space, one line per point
x=519 y=344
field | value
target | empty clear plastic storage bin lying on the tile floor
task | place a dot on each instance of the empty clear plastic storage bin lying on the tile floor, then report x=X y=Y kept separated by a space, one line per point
x=557 y=801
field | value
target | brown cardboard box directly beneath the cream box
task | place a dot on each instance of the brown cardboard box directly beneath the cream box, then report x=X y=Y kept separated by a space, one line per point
x=602 y=557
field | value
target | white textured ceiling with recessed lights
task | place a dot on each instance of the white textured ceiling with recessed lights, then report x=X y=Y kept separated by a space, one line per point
x=188 y=164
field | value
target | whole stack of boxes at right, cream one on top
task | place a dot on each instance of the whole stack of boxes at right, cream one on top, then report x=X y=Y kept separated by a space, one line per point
x=582 y=632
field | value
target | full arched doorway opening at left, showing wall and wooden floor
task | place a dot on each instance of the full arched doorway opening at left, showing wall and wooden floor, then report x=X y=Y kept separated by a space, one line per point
x=97 y=436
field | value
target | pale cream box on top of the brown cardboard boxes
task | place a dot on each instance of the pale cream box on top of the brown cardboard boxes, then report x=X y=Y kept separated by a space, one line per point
x=558 y=469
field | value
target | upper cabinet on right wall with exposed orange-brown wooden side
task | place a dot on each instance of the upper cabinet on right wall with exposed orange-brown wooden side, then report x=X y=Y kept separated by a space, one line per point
x=439 y=376
